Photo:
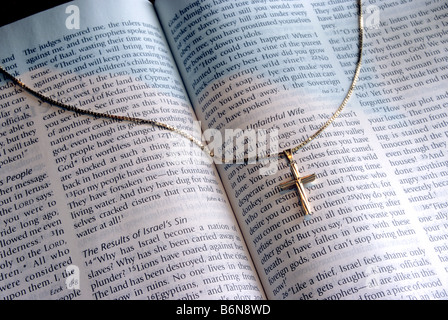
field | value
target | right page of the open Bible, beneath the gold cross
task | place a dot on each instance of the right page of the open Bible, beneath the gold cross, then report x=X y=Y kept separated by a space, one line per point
x=380 y=211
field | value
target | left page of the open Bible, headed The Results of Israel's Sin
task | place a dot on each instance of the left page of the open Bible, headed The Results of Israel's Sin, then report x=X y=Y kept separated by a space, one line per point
x=100 y=209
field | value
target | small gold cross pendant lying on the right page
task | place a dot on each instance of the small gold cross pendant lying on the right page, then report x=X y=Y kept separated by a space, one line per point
x=298 y=182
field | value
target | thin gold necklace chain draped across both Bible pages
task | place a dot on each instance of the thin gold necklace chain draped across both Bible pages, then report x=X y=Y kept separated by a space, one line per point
x=190 y=137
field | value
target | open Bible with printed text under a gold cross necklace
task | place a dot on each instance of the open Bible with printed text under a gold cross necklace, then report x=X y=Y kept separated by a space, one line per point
x=100 y=209
